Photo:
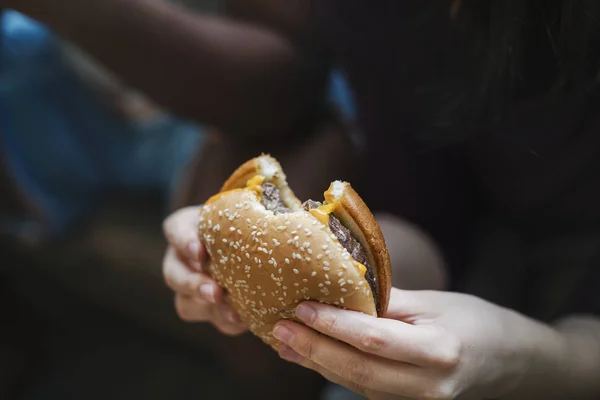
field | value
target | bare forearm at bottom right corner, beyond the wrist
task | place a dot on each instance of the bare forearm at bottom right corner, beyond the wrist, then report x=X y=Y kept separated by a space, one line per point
x=565 y=363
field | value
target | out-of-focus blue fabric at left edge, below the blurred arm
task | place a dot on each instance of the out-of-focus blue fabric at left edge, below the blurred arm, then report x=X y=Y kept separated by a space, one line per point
x=72 y=135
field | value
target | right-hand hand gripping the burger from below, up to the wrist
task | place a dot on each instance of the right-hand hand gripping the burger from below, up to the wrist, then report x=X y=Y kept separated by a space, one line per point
x=431 y=345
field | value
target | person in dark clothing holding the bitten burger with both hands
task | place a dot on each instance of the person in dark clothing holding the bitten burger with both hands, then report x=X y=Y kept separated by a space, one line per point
x=480 y=119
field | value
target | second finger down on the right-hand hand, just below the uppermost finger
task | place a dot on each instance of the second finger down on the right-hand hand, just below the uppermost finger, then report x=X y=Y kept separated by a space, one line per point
x=352 y=365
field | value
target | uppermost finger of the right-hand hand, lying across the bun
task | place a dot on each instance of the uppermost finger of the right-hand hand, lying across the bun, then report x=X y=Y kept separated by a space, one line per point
x=425 y=346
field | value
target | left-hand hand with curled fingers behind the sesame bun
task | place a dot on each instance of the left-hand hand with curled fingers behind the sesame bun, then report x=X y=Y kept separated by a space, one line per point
x=198 y=298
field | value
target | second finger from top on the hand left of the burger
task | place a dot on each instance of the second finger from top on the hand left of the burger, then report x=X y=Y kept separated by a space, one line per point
x=182 y=280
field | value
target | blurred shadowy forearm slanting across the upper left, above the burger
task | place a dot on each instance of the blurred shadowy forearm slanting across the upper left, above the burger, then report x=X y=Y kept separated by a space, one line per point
x=244 y=79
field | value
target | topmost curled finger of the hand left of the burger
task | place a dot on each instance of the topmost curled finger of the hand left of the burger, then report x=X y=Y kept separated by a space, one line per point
x=181 y=231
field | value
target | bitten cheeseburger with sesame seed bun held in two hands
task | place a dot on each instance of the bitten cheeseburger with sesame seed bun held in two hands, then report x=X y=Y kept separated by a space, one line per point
x=270 y=251
